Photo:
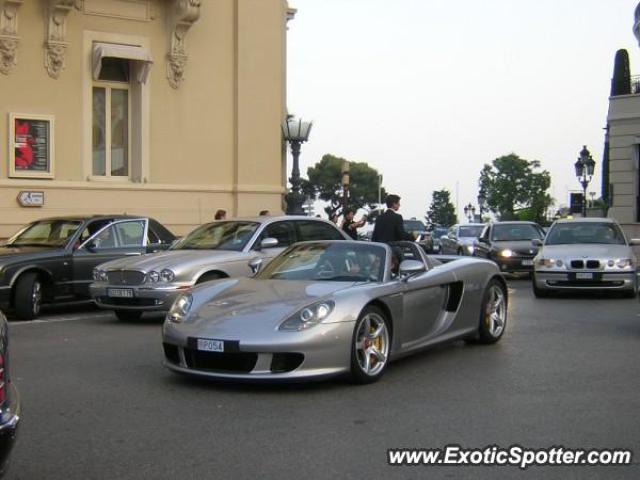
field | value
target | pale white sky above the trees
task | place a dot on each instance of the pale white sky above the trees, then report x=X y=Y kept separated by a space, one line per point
x=428 y=91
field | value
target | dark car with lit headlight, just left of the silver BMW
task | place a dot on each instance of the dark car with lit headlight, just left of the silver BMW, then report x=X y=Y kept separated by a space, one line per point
x=509 y=245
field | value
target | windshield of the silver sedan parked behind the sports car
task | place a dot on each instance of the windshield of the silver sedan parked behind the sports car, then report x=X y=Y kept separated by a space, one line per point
x=218 y=236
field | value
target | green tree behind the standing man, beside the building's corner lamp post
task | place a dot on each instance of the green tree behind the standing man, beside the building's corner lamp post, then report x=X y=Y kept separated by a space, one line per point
x=325 y=181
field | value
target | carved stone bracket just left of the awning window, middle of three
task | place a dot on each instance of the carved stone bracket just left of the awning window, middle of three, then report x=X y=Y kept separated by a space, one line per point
x=56 y=44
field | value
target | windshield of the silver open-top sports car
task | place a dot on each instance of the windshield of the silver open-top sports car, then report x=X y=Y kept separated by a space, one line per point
x=332 y=262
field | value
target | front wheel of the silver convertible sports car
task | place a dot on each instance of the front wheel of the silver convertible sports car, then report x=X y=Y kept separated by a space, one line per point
x=370 y=346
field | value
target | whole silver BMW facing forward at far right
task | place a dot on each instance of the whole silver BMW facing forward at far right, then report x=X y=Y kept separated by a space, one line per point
x=585 y=254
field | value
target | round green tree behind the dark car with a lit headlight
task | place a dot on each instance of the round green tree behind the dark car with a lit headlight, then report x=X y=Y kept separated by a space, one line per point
x=512 y=186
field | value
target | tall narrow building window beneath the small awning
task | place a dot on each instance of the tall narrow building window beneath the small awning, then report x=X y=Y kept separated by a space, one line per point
x=111 y=125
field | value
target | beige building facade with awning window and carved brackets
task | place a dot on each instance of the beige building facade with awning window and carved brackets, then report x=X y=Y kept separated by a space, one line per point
x=166 y=108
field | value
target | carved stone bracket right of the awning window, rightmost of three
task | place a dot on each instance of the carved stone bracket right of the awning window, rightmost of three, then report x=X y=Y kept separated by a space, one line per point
x=186 y=13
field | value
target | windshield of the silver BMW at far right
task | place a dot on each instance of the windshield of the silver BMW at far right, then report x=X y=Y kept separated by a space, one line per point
x=587 y=232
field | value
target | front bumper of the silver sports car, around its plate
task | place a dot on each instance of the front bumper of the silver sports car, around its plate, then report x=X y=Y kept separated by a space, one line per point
x=320 y=352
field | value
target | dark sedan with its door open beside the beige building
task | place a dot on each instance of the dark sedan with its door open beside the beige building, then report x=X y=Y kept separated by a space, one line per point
x=52 y=260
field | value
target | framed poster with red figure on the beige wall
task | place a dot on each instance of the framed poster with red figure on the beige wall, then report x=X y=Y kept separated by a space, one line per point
x=31 y=145
